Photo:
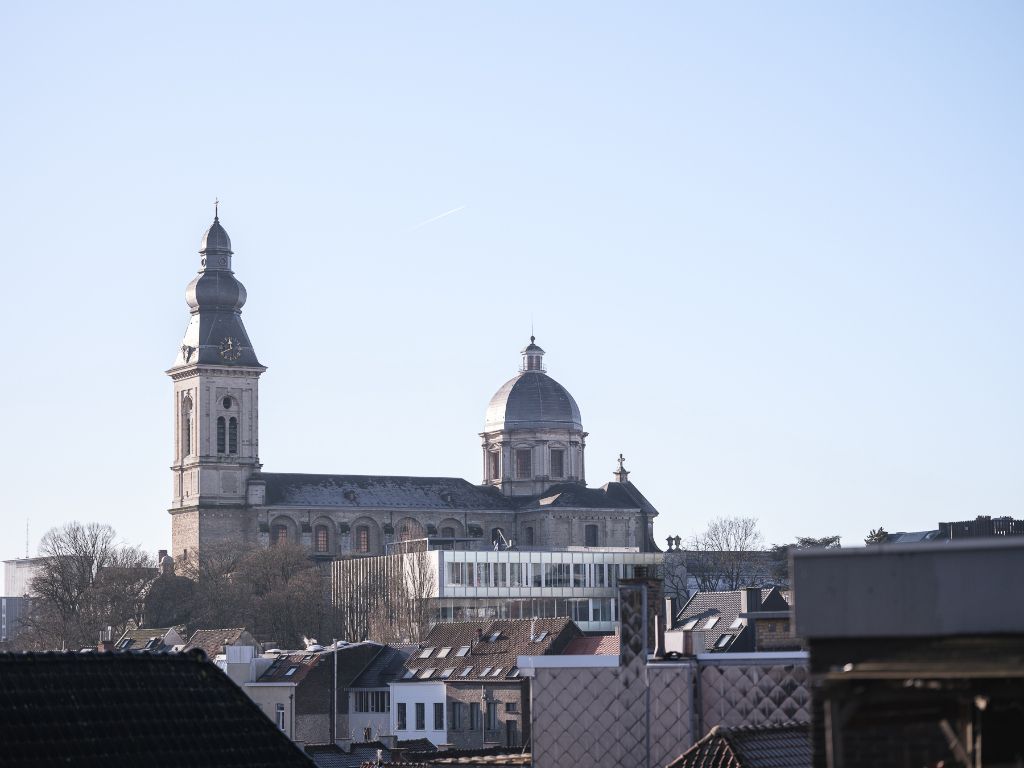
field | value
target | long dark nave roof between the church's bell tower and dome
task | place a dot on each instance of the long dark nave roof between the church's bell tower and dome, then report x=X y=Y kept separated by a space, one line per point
x=397 y=492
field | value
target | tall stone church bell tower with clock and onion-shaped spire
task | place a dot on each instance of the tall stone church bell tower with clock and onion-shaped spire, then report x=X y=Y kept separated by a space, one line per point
x=217 y=430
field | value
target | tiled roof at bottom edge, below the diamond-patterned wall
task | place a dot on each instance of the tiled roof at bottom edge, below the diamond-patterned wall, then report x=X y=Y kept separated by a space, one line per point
x=786 y=746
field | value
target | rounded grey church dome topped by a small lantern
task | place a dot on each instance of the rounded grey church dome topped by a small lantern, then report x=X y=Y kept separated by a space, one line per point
x=533 y=400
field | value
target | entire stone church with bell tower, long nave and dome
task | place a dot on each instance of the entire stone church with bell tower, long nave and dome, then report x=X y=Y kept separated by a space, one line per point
x=533 y=495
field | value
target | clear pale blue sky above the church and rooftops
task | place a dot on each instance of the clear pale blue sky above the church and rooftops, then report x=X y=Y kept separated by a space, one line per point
x=774 y=250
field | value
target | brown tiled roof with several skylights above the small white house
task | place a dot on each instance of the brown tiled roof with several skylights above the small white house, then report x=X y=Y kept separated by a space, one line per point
x=513 y=639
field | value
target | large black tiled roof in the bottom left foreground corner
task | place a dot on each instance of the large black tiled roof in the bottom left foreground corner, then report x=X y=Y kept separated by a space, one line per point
x=133 y=709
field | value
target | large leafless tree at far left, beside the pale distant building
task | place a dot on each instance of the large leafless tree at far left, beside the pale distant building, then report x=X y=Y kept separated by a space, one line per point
x=87 y=583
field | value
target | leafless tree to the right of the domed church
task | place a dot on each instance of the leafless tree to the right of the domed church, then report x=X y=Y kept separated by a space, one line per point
x=729 y=556
